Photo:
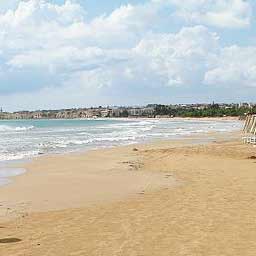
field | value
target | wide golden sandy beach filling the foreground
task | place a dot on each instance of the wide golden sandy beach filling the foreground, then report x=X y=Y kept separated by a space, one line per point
x=164 y=198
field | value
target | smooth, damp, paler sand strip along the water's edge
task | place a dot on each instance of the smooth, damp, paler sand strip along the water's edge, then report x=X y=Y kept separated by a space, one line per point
x=37 y=175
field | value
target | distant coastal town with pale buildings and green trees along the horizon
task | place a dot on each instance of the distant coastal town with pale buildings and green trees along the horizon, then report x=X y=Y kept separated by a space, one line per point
x=149 y=111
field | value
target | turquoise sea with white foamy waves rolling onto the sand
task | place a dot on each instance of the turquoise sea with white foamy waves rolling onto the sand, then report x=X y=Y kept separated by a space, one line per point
x=21 y=140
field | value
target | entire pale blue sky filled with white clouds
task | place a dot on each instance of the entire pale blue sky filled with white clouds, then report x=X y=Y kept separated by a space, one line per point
x=66 y=53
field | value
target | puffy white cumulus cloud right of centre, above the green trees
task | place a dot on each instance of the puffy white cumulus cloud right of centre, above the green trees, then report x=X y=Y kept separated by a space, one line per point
x=176 y=58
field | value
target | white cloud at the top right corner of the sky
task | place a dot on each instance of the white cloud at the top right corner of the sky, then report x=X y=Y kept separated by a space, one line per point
x=219 y=13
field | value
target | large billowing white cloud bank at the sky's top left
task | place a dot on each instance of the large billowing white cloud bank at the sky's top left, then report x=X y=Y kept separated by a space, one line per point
x=50 y=25
